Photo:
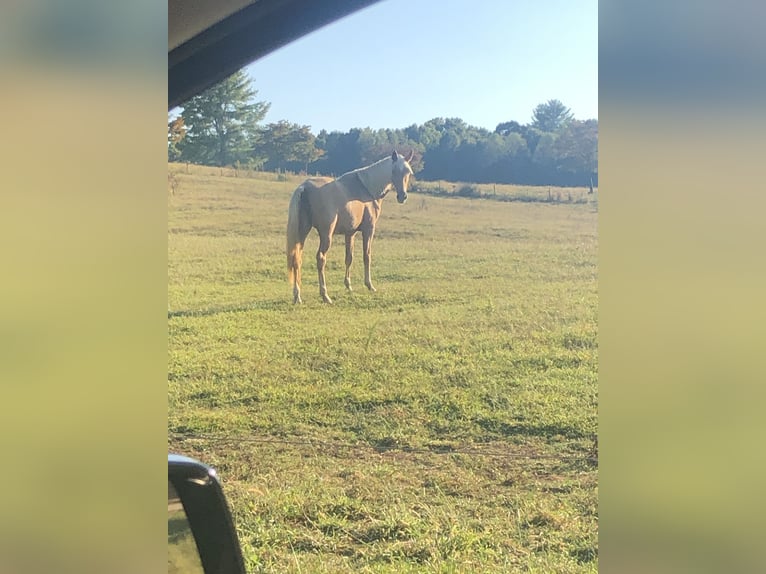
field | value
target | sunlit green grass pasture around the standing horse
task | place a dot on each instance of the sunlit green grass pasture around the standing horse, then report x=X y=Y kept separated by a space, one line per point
x=446 y=423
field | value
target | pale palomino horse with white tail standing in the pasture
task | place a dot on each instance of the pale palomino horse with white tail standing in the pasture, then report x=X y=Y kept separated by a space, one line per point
x=344 y=205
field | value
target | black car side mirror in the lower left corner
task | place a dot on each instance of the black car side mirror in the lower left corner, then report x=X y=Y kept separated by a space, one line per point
x=201 y=533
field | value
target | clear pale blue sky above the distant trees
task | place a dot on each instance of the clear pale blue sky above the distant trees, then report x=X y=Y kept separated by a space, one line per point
x=403 y=62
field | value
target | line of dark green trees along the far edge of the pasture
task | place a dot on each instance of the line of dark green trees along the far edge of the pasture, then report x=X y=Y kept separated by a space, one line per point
x=222 y=127
